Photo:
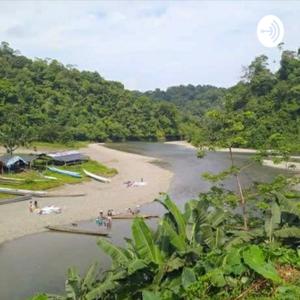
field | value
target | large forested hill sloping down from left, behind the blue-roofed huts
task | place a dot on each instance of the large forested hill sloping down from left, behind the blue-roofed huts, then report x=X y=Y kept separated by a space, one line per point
x=49 y=101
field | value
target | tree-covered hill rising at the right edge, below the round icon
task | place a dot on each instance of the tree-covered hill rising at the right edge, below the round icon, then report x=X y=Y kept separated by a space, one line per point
x=262 y=110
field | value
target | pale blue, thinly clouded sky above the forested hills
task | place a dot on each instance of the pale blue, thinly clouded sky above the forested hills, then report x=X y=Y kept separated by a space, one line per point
x=149 y=44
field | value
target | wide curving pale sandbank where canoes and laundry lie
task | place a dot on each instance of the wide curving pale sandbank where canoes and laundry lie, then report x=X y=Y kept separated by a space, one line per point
x=17 y=221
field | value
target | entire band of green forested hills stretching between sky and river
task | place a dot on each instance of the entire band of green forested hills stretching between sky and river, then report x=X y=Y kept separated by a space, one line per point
x=48 y=101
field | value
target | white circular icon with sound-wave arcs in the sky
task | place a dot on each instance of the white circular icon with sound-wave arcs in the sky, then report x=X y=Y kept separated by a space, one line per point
x=270 y=31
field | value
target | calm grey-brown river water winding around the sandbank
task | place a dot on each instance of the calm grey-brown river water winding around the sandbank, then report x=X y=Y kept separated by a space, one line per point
x=38 y=263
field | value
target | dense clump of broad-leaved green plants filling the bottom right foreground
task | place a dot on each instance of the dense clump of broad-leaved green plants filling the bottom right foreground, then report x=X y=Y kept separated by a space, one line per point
x=191 y=255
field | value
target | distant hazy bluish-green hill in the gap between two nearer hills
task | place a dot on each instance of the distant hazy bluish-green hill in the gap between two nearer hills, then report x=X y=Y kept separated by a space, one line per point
x=195 y=100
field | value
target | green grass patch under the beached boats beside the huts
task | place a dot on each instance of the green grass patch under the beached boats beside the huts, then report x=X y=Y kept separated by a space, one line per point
x=31 y=176
